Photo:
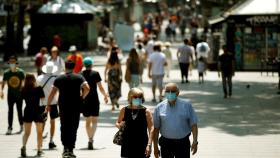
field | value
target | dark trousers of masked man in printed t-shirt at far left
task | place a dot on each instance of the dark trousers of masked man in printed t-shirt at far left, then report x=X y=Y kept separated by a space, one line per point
x=11 y=101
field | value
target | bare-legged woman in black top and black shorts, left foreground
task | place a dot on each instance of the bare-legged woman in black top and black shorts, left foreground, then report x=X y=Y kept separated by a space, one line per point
x=32 y=94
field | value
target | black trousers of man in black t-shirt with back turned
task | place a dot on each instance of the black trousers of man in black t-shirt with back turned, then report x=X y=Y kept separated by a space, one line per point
x=69 y=125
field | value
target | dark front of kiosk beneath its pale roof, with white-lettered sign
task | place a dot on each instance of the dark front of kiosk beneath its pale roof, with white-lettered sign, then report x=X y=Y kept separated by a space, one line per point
x=255 y=40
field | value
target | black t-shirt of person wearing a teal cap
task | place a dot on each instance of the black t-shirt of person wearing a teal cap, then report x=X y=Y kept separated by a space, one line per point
x=92 y=77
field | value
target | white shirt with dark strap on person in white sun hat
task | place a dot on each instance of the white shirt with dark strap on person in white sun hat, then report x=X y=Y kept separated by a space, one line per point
x=41 y=80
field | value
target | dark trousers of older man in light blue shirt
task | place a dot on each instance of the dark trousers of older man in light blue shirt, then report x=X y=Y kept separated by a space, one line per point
x=178 y=148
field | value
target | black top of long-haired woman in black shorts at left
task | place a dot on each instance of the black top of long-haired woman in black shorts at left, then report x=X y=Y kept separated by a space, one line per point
x=32 y=97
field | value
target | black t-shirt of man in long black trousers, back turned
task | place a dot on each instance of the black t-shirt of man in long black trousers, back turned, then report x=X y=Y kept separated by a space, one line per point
x=69 y=86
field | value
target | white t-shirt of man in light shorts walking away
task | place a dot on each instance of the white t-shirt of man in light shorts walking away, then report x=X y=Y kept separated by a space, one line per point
x=157 y=59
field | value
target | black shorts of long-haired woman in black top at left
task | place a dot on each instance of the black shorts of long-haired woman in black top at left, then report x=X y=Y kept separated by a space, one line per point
x=31 y=115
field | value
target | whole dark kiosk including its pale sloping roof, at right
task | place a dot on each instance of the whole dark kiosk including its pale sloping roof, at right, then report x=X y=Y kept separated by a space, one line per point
x=253 y=36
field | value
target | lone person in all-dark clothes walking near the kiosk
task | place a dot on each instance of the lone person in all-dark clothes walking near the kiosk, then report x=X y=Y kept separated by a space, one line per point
x=226 y=66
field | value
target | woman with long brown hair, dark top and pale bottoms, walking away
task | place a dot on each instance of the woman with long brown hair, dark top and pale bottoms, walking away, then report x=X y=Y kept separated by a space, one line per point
x=133 y=65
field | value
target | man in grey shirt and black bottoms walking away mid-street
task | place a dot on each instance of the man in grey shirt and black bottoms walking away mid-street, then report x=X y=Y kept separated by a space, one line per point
x=185 y=58
